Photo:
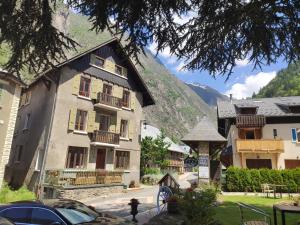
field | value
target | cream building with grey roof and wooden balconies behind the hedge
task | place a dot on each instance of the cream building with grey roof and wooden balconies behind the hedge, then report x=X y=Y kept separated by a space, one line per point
x=261 y=133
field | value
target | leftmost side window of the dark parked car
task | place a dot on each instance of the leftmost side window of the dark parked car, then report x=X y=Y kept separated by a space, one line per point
x=17 y=215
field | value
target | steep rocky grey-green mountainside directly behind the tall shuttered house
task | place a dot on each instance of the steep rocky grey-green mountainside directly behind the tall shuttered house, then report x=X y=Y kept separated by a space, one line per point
x=177 y=107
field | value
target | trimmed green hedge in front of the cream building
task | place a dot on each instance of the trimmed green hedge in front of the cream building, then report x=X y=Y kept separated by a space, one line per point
x=250 y=180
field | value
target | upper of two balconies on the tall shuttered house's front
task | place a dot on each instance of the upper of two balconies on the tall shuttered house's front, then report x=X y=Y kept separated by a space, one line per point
x=108 y=102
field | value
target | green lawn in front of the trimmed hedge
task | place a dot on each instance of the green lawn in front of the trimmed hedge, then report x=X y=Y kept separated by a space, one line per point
x=228 y=213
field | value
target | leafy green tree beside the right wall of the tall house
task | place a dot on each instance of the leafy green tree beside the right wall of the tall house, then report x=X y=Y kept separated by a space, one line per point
x=154 y=152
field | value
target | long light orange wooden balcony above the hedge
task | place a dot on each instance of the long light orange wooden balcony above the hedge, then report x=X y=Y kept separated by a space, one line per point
x=259 y=146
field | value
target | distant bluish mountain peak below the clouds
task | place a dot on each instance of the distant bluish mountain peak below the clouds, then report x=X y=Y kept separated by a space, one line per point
x=208 y=94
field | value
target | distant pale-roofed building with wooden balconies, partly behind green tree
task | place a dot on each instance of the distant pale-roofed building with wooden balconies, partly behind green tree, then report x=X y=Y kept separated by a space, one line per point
x=176 y=153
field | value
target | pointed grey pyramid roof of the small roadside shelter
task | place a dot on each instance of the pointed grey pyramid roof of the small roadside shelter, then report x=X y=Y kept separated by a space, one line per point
x=204 y=131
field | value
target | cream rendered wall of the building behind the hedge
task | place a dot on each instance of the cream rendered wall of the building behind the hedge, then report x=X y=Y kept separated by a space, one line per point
x=291 y=150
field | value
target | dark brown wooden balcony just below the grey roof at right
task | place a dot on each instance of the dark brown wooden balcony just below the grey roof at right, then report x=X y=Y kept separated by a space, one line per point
x=250 y=121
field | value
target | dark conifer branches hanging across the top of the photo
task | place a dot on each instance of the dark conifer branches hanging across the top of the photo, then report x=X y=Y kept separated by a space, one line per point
x=214 y=35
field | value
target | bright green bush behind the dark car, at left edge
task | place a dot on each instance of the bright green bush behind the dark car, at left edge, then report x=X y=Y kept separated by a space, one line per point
x=7 y=195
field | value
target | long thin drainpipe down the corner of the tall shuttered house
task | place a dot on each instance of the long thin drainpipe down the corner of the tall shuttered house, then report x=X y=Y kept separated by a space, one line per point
x=42 y=173
